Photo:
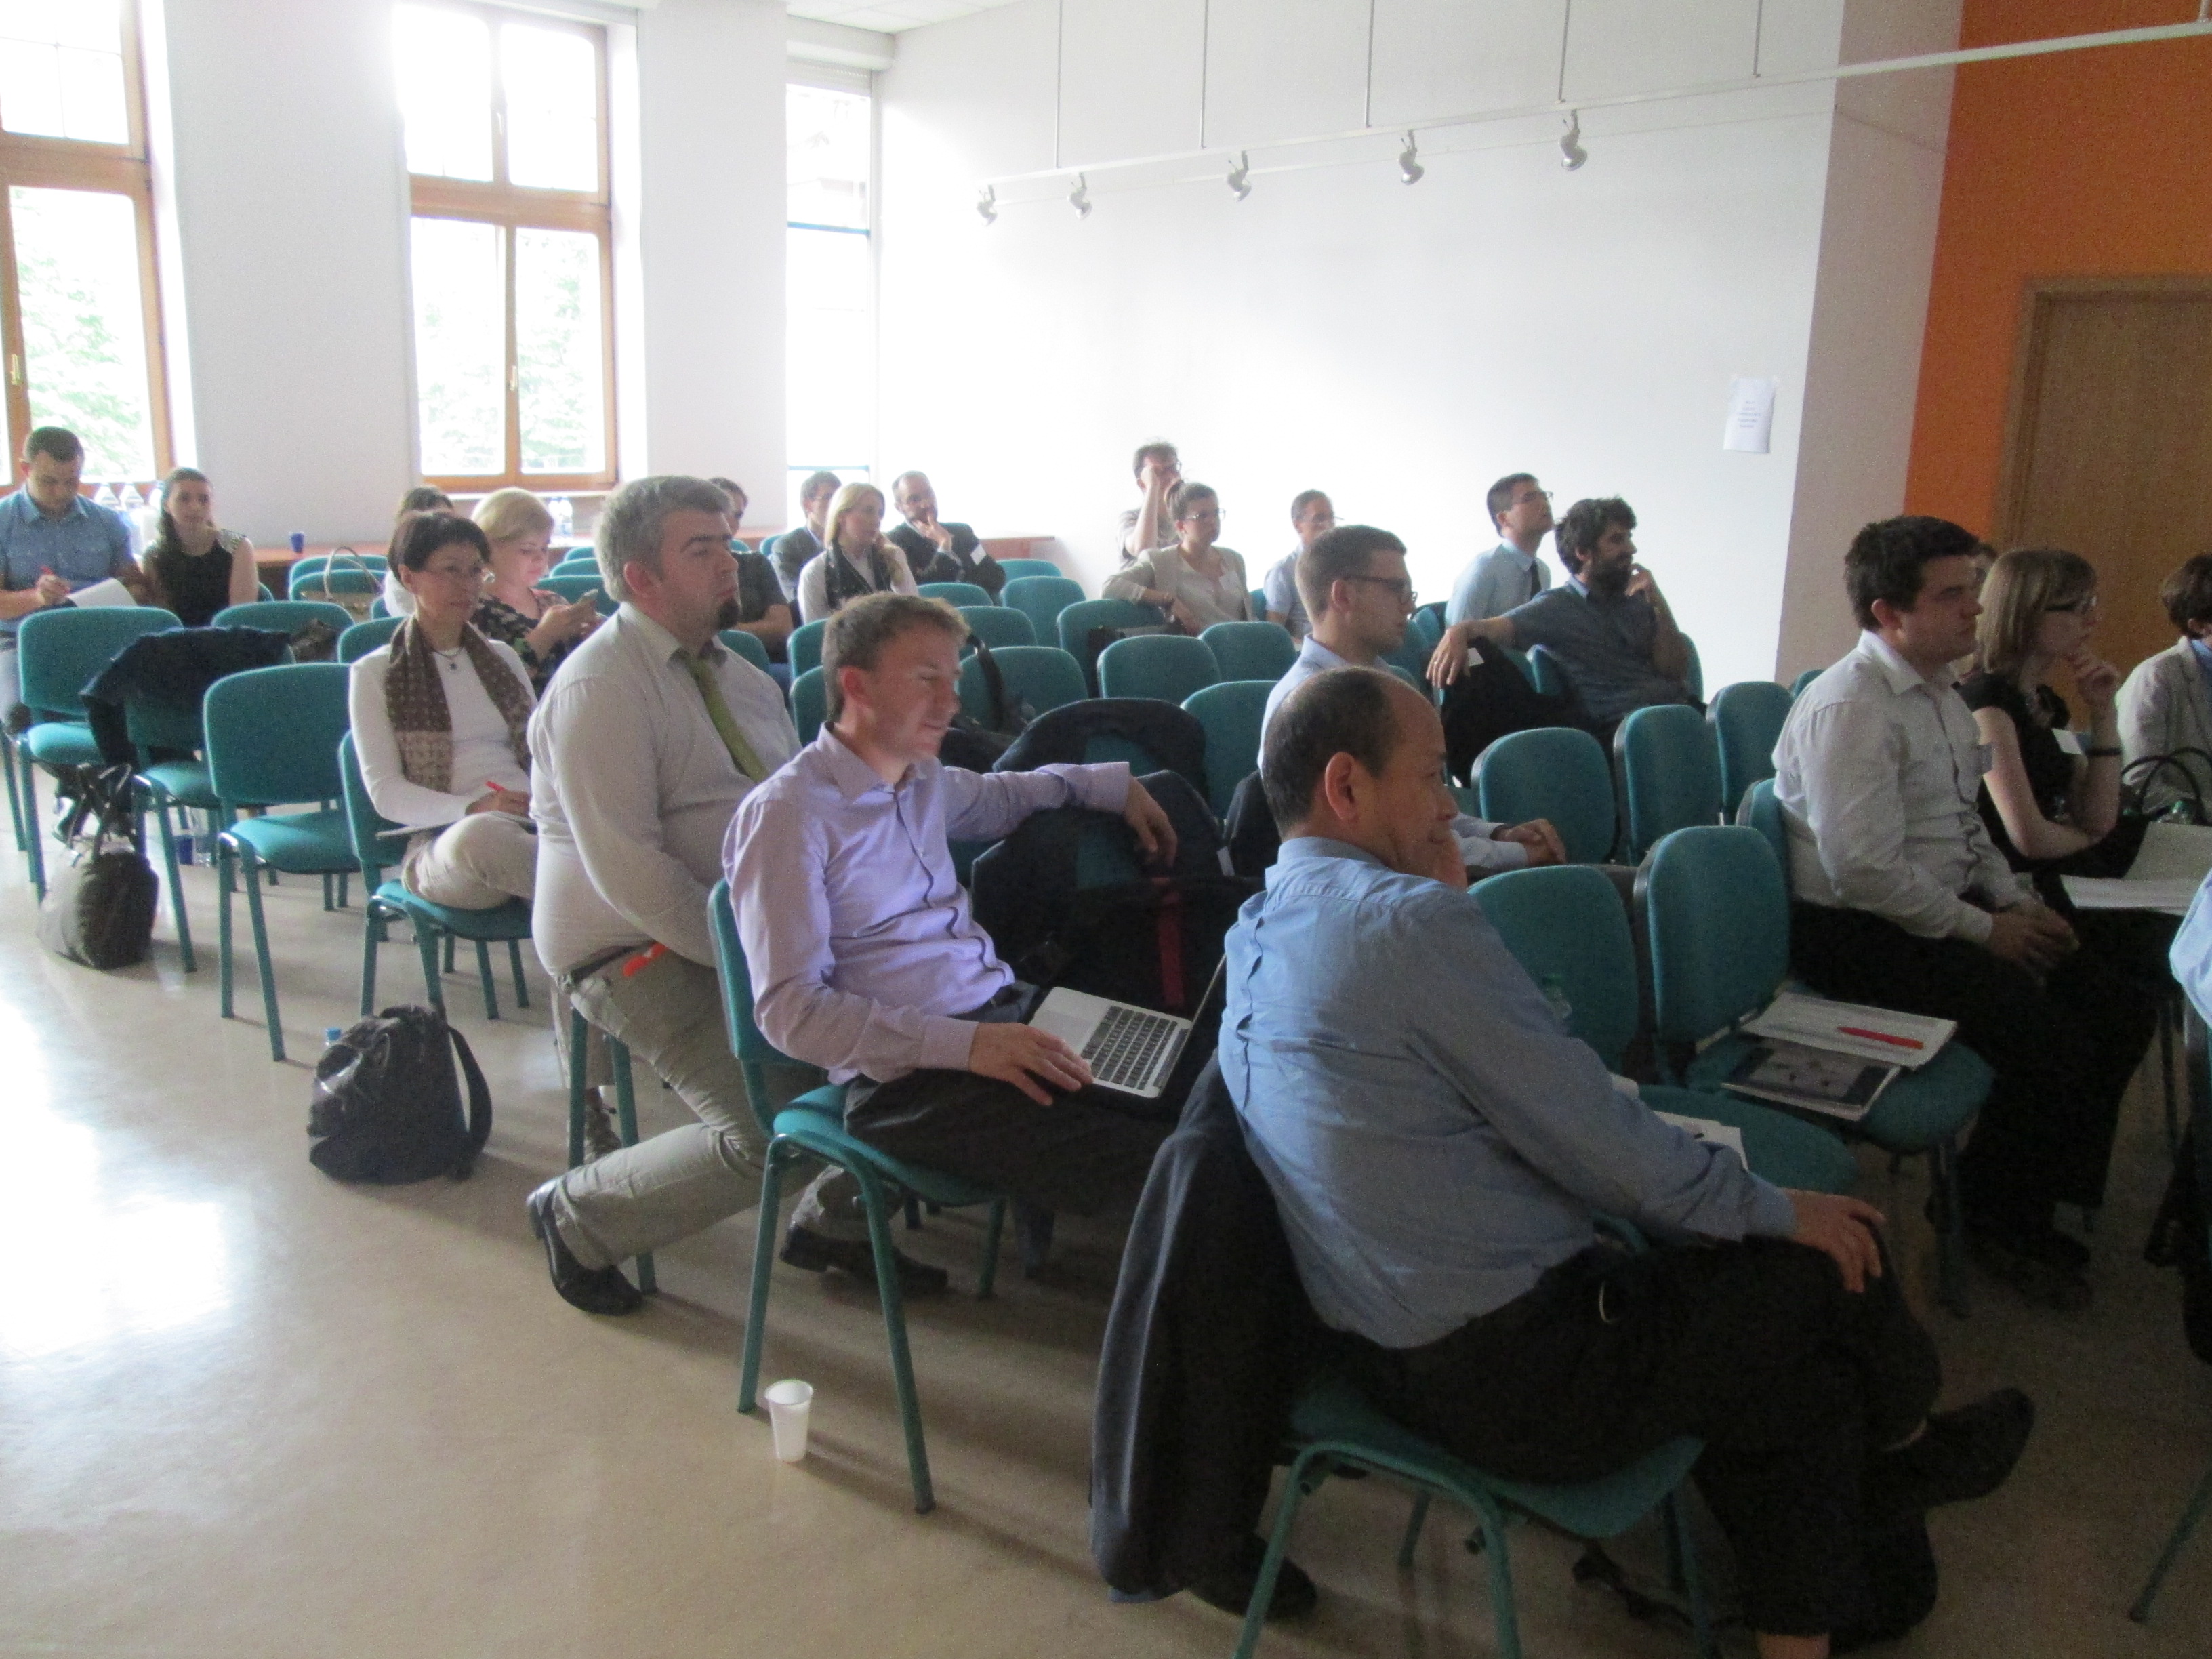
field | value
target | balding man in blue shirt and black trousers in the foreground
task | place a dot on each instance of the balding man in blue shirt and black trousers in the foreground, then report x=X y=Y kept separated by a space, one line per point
x=1441 y=1154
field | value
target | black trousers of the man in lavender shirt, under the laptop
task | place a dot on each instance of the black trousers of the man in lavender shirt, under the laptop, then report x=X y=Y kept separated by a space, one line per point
x=1081 y=1154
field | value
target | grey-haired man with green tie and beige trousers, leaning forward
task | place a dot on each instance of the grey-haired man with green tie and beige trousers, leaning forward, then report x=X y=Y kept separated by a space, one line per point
x=643 y=751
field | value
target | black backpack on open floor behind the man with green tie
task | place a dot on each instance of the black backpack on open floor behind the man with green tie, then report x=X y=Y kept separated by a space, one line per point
x=386 y=1103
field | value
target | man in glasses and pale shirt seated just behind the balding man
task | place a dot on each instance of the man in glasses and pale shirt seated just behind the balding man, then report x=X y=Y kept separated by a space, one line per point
x=1359 y=596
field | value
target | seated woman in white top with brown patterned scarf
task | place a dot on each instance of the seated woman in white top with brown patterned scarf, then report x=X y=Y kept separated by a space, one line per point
x=439 y=727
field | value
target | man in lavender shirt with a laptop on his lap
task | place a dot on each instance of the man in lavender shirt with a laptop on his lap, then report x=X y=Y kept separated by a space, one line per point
x=859 y=939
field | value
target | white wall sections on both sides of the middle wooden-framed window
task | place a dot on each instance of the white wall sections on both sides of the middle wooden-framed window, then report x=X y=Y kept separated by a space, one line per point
x=289 y=275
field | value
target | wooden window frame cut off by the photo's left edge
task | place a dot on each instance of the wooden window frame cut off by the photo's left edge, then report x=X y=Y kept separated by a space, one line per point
x=43 y=163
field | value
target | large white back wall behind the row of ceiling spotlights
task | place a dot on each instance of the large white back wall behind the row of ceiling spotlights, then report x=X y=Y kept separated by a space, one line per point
x=1395 y=346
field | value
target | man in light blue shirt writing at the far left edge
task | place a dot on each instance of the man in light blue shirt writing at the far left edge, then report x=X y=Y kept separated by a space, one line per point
x=54 y=543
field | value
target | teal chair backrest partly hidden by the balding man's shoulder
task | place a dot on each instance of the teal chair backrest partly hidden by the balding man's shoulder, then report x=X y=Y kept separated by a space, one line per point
x=1569 y=924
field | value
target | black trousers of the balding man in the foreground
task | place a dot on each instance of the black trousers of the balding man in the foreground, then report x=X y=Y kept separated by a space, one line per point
x=1755 y=1348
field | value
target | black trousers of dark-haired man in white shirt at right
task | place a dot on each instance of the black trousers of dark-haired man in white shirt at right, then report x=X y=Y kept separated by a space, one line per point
x=2063 y=1050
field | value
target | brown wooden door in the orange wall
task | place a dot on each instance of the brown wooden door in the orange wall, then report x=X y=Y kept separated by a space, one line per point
x=2109 y=441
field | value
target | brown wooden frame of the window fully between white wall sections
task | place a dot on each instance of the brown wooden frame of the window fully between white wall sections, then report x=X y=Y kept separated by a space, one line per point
x=510 y=209
